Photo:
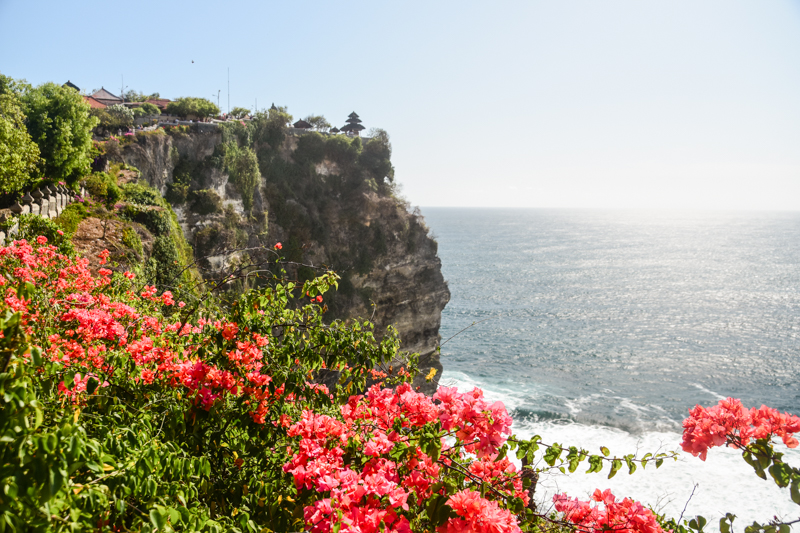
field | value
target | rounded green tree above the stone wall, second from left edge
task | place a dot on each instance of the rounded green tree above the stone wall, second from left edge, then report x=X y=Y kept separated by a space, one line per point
x=59 y=122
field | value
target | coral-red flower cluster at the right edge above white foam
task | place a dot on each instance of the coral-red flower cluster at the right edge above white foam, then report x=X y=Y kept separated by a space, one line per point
x=729 y=422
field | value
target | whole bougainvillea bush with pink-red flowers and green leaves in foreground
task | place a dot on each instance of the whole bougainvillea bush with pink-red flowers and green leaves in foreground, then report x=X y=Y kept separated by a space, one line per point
x=123 y=409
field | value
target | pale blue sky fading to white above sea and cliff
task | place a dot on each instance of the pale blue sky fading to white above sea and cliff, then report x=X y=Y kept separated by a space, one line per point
x=558 y=104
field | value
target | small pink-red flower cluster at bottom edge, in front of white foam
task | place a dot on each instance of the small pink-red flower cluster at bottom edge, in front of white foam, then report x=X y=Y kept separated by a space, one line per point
x=627 y=516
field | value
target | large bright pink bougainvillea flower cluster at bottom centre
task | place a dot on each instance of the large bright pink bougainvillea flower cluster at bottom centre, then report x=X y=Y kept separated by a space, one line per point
x=371 y=486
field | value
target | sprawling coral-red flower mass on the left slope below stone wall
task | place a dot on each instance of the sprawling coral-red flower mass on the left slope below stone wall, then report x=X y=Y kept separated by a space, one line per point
x=92 y=325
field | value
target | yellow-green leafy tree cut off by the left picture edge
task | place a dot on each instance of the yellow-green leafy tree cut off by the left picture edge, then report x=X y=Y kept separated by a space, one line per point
x=19 y=155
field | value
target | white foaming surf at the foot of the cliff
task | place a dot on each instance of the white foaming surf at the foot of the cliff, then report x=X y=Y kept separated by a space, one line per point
x=723 y=483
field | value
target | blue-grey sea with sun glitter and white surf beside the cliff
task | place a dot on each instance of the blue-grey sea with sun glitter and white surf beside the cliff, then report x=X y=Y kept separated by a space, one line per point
x=603 y=328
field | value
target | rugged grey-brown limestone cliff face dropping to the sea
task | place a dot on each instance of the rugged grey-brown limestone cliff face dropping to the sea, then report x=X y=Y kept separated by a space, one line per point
x=326 y=211
